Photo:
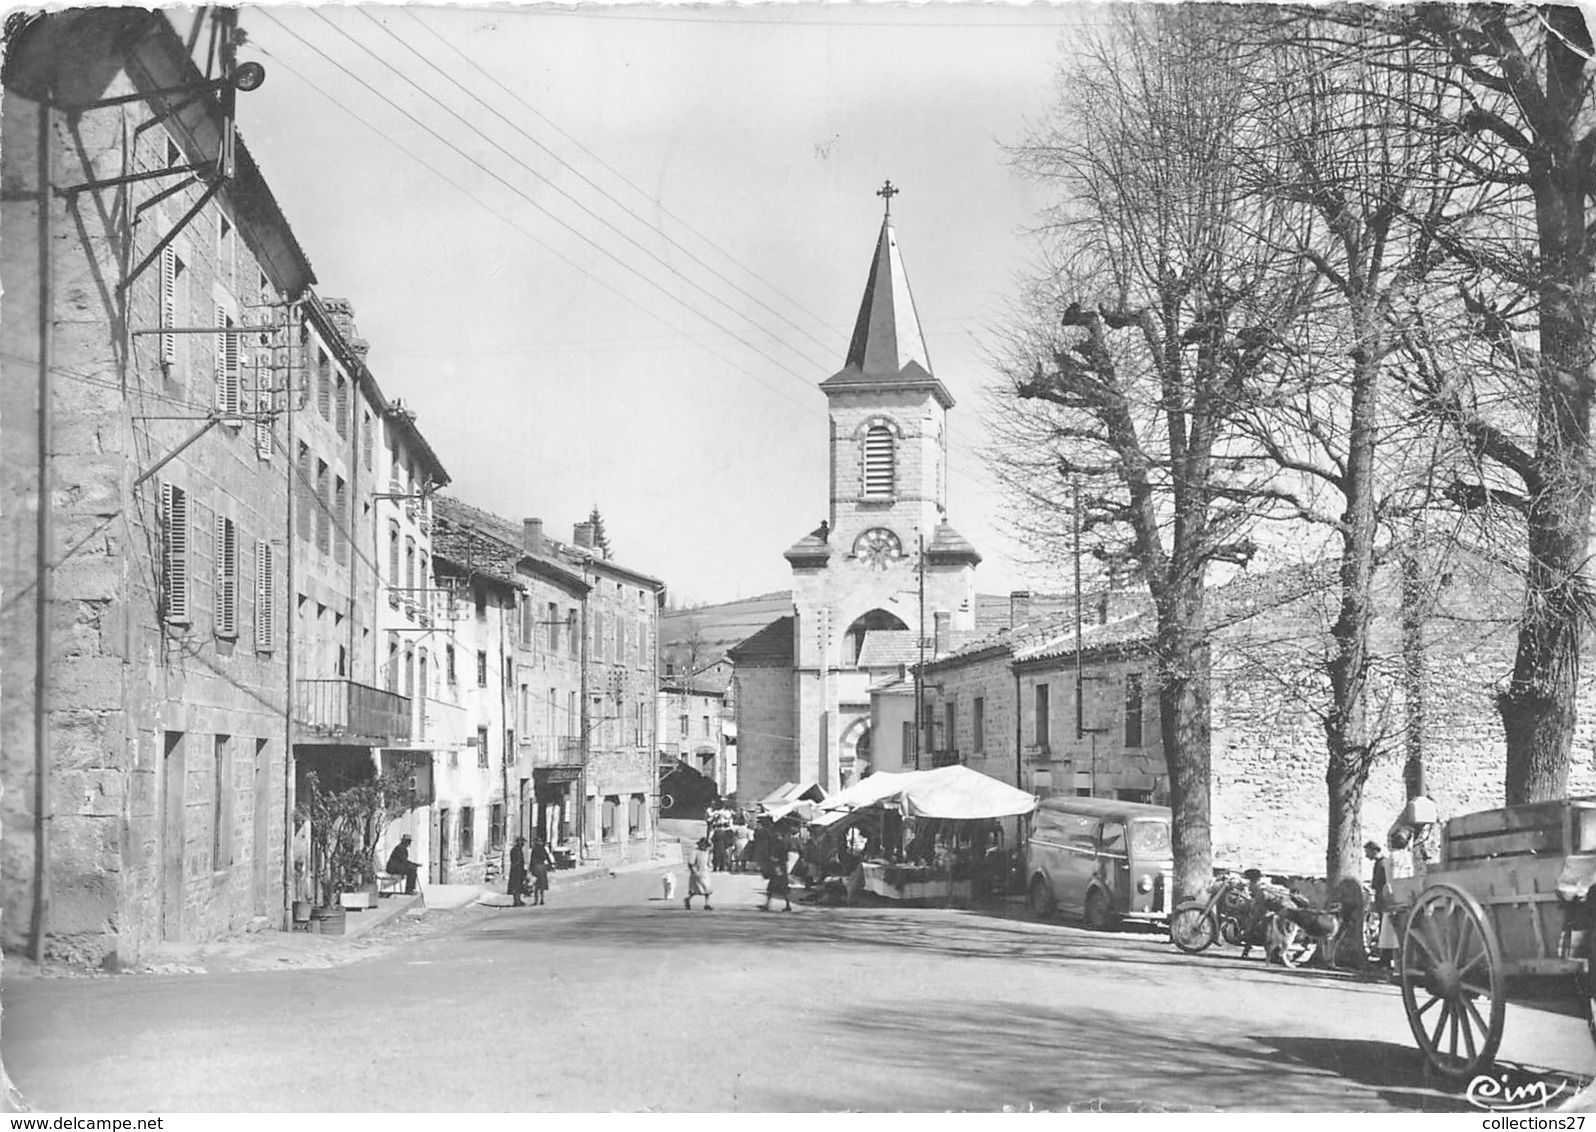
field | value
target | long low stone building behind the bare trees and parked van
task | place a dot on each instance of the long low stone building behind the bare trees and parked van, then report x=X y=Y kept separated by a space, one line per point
x=1008 y=705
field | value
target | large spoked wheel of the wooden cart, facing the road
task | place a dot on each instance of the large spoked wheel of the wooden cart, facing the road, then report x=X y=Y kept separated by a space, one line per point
x=1453 y=984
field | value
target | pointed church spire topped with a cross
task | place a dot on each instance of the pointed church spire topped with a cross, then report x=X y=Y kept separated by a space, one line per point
x=888 y=347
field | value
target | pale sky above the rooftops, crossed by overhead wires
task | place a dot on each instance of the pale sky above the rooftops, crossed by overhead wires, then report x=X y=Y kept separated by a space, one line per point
x=607 y=255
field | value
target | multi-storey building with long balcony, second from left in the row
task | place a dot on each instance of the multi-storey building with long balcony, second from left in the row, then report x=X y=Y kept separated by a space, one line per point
x=363 y=638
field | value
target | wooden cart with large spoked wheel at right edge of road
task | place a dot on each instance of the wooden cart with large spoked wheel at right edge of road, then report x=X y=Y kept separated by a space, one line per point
x=1507 y=914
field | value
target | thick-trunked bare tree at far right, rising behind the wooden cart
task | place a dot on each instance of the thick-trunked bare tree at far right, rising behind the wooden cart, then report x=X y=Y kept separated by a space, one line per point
x=1519 y=127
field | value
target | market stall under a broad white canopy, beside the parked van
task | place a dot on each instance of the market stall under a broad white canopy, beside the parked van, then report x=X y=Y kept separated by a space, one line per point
x=922 y=836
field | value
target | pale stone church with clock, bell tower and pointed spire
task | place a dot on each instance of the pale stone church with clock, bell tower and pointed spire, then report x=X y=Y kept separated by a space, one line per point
x=885 y=580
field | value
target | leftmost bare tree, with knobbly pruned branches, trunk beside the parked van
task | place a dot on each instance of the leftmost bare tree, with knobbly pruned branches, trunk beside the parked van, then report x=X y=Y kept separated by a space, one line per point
x=1153 y=319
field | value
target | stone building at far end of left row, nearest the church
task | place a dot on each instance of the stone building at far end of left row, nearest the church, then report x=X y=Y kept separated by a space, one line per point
x=574 y=667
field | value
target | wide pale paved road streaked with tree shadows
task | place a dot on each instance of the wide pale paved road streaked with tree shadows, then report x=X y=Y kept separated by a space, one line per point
x=610 y=999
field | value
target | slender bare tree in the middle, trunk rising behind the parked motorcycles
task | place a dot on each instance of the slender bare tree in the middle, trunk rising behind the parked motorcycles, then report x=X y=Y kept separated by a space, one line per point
x=1348 y=156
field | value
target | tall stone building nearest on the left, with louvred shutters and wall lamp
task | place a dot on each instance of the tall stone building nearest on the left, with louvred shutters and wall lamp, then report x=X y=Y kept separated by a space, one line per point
x=146 y=274
